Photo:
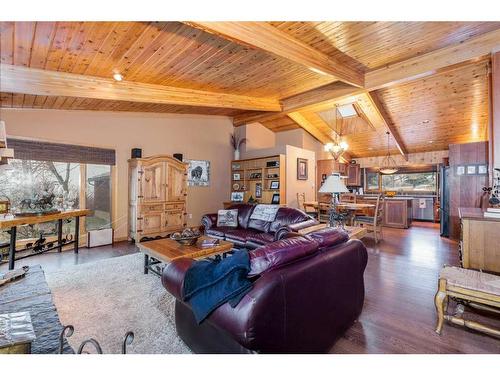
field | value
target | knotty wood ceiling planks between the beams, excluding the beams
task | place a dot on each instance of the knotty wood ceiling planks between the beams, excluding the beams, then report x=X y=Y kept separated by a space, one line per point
x=445 y=107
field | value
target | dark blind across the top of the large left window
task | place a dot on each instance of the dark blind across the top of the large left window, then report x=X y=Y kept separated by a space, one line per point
x=59 y=152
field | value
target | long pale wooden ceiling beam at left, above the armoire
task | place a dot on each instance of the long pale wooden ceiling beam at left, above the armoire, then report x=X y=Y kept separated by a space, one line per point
x=22 y=80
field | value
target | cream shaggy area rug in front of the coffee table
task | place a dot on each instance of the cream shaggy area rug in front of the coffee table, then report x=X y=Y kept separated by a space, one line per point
x=105 y=299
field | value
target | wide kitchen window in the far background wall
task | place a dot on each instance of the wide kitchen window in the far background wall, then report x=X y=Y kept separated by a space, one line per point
x=410 y=182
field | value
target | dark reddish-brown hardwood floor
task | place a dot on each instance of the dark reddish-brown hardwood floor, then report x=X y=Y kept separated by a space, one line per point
x=400 y=282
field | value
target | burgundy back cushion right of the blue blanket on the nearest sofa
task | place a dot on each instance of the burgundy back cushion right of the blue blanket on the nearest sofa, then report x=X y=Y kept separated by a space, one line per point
x=280 y=253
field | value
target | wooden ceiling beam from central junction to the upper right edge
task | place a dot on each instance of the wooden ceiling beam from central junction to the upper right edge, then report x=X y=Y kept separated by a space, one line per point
x=432 y=62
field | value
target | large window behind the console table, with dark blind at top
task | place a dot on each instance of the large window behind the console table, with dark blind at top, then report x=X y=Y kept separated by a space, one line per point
x=43 y=169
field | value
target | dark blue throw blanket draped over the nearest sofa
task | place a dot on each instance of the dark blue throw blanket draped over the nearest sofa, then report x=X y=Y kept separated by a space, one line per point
x=208 y=284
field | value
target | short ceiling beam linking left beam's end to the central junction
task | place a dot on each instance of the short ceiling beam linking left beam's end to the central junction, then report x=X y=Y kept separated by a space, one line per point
x=301 y=102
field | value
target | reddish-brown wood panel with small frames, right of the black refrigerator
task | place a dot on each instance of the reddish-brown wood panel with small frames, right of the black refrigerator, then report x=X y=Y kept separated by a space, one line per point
x=465 y=190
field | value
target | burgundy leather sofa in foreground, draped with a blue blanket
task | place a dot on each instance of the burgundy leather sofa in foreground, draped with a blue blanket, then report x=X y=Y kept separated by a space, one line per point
x=307 y=292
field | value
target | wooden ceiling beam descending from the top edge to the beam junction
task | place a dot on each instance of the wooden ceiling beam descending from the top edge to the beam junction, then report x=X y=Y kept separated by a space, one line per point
x=266 y=37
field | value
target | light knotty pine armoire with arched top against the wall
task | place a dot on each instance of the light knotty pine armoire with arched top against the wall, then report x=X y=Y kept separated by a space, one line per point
x=157 y=197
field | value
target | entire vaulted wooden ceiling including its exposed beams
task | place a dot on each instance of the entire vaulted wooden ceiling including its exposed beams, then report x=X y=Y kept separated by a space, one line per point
x=425 y=82
